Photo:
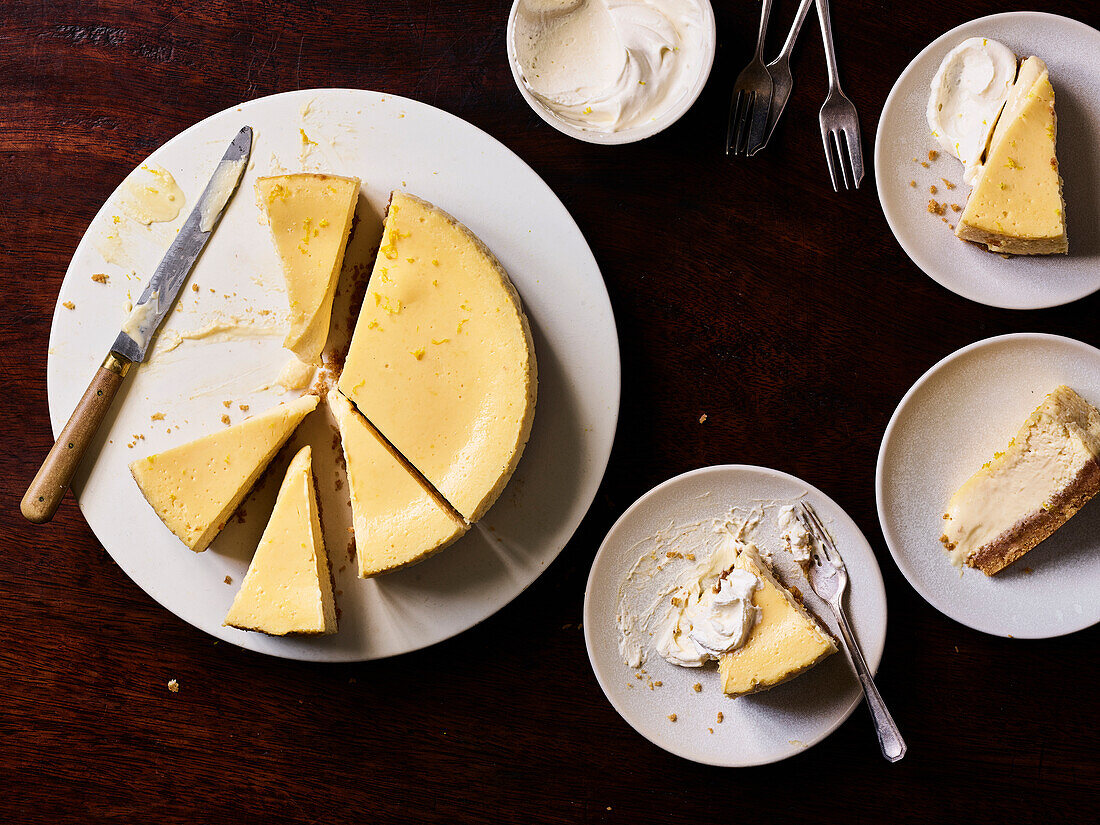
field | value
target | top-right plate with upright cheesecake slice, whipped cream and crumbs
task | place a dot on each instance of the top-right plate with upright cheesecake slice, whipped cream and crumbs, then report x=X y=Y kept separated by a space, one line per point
x=984 y=161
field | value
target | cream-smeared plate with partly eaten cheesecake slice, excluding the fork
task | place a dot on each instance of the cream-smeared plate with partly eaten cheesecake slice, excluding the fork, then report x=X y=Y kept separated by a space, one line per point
x=702 y=628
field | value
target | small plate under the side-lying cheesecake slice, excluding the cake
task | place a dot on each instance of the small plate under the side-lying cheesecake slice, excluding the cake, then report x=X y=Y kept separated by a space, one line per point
x=960 y=413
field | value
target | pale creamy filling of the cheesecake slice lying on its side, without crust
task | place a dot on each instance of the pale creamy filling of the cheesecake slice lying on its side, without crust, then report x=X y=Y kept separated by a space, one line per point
x=1049 y=453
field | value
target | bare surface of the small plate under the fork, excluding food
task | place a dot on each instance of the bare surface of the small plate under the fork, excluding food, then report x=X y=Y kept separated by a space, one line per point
x=763 y=728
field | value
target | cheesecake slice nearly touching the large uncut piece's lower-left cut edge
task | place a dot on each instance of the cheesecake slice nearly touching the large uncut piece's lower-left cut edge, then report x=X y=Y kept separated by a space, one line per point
x=397 y=518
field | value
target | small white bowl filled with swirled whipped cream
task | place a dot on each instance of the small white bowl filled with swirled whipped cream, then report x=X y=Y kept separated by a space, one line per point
x=611 y=71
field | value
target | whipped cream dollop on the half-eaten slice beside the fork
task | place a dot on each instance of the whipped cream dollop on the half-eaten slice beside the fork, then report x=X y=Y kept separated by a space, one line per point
x=712 y=611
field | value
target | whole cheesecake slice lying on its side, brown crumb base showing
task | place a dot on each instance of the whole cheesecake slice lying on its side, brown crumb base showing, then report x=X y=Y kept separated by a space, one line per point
x=1048 y=474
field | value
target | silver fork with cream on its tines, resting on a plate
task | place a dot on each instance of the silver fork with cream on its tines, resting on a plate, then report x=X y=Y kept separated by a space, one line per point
x=830 y=580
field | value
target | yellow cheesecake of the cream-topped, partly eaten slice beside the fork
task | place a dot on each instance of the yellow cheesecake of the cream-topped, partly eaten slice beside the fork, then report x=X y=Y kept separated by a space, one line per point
x=787 y=640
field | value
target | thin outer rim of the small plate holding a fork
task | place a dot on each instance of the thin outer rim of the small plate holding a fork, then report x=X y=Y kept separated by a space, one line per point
x=874 y=659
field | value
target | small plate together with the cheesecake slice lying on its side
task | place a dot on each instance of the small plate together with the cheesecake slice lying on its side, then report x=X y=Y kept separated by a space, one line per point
x=986 y=485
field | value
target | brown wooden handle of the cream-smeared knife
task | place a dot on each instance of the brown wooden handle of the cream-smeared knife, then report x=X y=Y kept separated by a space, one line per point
x=47 y=491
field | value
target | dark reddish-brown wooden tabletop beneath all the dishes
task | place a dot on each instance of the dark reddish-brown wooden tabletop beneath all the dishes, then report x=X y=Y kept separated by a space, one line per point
x=703 y=258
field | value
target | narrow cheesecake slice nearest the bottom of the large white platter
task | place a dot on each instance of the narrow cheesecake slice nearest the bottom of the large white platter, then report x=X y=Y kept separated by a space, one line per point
x=289 y=587
